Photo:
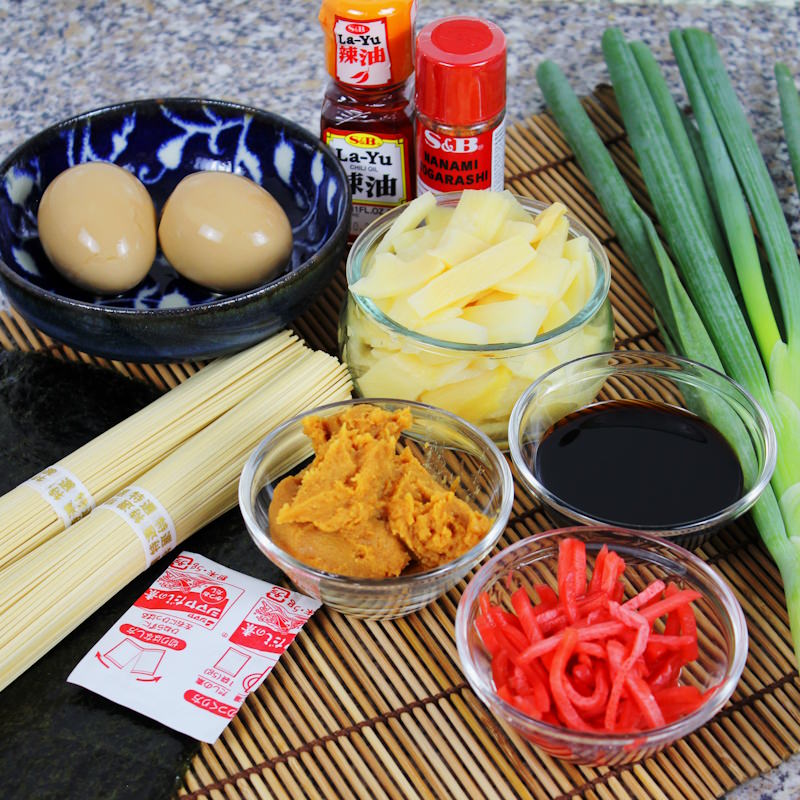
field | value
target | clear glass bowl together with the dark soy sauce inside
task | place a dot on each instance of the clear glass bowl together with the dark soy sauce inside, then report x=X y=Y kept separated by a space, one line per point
x=643 y=440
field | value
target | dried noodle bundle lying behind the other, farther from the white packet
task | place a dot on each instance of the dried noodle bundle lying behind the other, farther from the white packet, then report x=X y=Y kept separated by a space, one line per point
x=30 y=516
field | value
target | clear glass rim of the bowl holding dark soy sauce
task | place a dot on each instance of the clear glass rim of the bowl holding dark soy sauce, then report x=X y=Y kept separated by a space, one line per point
x=726 y=514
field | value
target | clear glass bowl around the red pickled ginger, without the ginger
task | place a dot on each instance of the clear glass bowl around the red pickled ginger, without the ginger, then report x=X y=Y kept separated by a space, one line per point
x=722 y=636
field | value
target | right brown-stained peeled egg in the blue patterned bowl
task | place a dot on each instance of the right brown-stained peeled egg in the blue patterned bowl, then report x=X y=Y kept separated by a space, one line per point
x=224 y=231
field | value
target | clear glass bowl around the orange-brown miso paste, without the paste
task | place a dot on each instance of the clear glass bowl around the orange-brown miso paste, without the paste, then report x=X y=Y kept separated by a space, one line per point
x=449 y=448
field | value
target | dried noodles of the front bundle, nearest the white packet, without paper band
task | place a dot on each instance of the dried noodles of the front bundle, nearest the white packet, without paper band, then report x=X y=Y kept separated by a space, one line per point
x=48 y=592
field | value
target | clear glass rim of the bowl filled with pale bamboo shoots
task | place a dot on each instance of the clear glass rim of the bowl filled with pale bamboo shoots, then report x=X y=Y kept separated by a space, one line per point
x=378 y=227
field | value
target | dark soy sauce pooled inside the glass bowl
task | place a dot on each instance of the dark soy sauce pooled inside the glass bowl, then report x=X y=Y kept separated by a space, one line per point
x=638 y=463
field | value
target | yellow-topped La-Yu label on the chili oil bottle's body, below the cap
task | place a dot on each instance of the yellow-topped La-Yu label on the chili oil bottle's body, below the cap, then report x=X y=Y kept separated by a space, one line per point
x=378 y=170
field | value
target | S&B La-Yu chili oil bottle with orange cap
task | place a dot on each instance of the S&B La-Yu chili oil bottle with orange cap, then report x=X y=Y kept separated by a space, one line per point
x=367 y=113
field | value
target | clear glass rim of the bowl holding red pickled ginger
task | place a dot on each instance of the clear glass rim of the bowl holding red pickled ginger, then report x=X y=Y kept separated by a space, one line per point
x=649 y=737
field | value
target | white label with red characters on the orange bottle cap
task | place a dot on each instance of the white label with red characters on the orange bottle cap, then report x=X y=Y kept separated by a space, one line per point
x=362 y=52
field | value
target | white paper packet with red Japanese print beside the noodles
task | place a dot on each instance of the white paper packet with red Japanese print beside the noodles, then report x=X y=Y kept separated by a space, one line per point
x=194 y=645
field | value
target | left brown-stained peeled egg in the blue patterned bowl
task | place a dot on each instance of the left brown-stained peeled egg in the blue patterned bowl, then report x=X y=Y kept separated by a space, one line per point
x=97 y=225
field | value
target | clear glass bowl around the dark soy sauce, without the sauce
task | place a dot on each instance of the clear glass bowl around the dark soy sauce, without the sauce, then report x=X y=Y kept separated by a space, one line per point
x=667 y=380
